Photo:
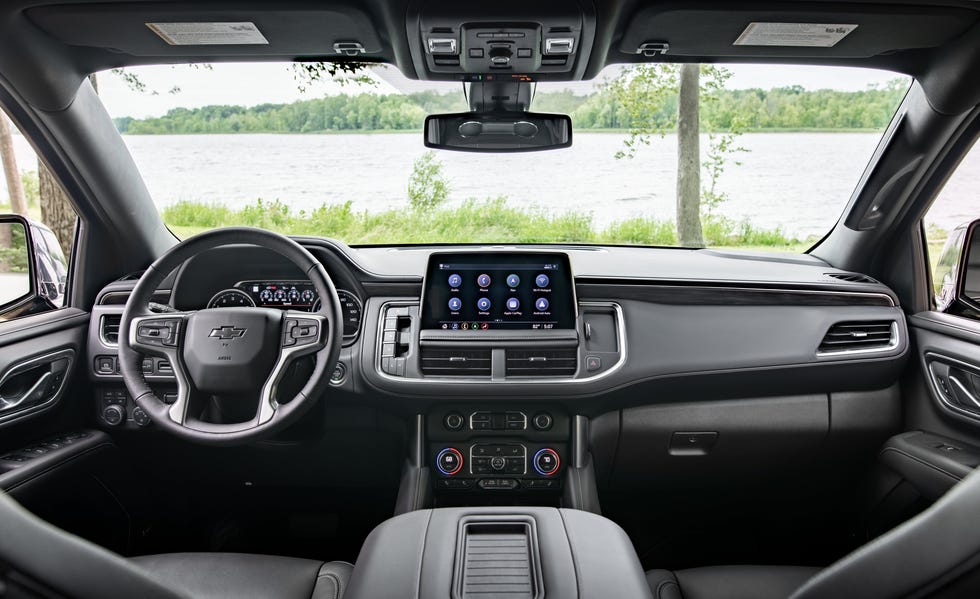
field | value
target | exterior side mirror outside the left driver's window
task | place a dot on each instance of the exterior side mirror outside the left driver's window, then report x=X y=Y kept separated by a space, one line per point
x=32 y=276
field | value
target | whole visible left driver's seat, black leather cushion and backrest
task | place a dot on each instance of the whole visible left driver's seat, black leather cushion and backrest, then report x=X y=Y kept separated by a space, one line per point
x=39 y=560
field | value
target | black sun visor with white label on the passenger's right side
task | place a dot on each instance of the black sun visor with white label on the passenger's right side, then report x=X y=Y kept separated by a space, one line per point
x=786 y=31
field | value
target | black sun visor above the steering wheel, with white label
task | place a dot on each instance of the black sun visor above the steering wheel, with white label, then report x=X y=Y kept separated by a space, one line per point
x=248 y=29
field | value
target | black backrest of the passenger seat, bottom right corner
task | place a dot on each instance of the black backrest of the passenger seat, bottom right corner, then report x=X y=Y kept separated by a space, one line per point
x=935 y=554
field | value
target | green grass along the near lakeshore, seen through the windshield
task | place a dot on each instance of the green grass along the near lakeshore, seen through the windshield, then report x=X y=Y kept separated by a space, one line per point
x=473 y=221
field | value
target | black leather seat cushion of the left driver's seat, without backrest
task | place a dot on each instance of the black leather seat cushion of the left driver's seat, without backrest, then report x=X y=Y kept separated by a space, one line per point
x=247 y=576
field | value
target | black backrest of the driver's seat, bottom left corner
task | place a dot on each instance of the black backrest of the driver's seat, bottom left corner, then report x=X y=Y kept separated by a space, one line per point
x=39 y=560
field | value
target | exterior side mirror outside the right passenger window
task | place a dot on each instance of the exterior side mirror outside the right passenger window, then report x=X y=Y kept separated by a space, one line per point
x=957 y=276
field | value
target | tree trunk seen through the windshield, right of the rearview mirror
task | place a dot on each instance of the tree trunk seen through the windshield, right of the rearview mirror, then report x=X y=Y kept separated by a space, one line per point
x=689 y=158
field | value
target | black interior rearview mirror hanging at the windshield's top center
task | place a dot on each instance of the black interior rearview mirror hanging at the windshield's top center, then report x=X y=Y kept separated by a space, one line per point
x=498 y=131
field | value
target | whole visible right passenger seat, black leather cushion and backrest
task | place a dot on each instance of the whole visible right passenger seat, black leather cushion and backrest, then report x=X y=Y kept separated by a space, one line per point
x=935 y=554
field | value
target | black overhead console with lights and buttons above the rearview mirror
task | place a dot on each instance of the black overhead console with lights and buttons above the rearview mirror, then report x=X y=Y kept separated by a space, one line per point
x=501 y=41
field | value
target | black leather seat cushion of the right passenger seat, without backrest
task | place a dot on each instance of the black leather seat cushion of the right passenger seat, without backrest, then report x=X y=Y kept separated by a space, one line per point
x=729 y=582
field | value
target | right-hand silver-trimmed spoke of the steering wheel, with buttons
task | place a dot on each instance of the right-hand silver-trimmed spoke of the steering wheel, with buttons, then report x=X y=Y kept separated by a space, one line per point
x=303 y=333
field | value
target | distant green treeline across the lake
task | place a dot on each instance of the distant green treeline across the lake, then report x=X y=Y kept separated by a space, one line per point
x=778 y=108
